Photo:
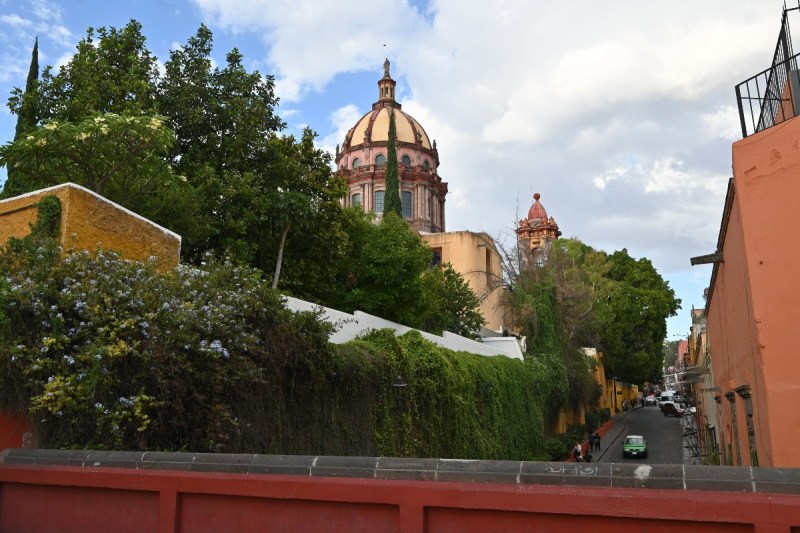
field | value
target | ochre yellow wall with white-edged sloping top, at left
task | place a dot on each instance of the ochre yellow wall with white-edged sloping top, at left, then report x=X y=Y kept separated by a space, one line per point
x=90 y=222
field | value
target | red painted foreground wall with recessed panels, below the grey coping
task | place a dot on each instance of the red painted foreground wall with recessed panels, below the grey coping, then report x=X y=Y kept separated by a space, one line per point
x=71 y=499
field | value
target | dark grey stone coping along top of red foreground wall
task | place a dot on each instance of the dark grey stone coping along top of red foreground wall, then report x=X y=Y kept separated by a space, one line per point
x=618 y=475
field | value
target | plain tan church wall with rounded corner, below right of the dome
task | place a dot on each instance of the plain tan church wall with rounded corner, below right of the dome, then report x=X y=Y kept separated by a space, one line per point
x=475 y=257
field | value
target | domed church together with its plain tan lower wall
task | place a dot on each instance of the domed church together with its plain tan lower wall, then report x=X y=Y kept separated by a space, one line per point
x=362 y=161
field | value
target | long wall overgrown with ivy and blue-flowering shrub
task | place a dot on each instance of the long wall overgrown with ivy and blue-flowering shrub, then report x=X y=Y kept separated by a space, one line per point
x=102 y=352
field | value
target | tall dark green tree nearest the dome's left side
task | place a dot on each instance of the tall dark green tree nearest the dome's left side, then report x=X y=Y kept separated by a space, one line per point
x=254 y=185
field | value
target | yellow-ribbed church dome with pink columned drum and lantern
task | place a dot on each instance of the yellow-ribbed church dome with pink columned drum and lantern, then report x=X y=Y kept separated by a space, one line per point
x=362 y=161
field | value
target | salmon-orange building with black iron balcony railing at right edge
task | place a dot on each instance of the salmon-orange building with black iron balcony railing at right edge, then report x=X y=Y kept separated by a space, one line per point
x=753 y=305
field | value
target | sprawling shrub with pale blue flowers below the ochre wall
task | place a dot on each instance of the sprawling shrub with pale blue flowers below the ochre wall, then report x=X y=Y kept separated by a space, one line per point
x=108 y=353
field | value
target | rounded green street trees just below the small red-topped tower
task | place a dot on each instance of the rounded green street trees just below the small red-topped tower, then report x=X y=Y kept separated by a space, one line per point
x=584 y=297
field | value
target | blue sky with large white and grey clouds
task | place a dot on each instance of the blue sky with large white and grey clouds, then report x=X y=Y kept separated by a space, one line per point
x=621 y=114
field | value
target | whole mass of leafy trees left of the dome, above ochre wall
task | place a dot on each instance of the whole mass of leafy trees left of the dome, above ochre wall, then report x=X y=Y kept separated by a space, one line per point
x=220 y=131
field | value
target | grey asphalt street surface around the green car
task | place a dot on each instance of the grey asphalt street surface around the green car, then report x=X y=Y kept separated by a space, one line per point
x=663 y=435
